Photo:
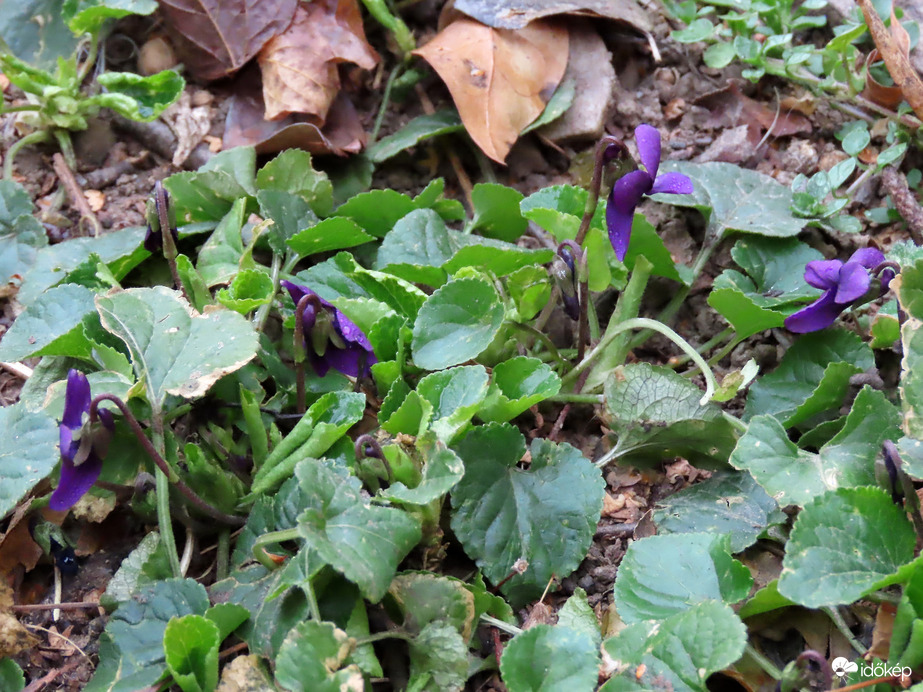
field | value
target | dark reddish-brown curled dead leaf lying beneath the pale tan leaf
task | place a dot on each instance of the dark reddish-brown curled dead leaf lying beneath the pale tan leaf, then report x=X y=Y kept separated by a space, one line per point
x=245 y=125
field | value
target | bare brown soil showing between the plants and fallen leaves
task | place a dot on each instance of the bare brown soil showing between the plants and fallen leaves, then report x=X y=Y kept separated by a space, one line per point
x=703 y=114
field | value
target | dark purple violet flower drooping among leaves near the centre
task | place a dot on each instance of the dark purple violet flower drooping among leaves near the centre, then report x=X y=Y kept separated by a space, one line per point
x=347 y=349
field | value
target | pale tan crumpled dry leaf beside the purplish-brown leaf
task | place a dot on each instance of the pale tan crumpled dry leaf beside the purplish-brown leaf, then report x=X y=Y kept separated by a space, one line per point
x=300 y=73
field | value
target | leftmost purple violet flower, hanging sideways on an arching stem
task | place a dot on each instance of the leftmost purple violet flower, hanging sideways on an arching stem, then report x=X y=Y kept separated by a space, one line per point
x=77 y=477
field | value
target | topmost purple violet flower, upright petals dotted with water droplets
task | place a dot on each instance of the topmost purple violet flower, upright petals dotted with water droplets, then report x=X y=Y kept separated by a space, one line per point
x=630 y=188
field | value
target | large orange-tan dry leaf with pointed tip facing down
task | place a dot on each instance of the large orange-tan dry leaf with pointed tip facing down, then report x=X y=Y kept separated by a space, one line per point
x=500 y=79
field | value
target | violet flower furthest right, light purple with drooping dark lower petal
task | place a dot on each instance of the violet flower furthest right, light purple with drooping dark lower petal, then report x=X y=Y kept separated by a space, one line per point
x=843 y=284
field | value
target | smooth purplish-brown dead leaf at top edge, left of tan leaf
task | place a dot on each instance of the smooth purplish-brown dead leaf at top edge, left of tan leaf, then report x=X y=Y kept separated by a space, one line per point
x=222 y=35
